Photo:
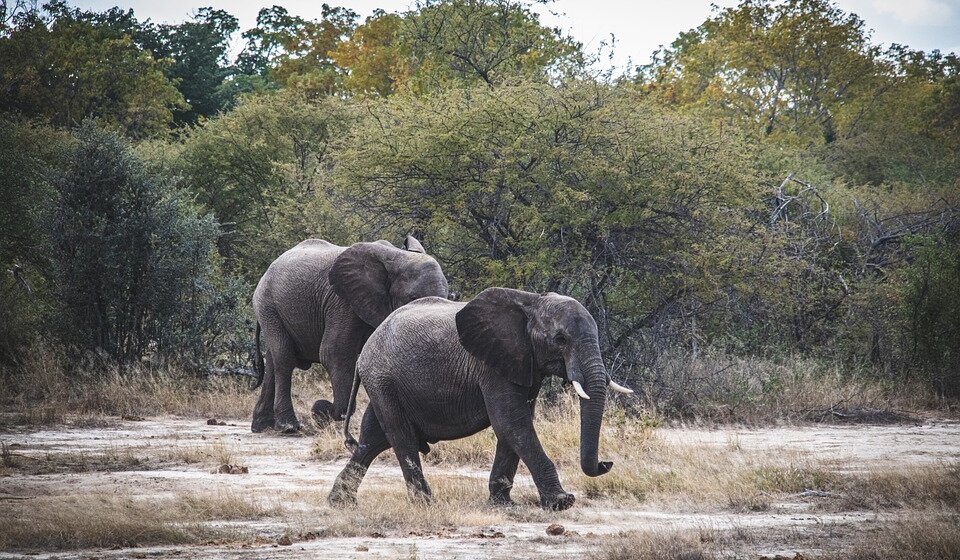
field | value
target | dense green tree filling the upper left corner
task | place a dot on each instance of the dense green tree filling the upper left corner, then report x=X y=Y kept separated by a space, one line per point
x=65 y=65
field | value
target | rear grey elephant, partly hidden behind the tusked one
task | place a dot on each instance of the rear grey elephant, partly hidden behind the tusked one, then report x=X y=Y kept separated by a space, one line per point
x=319 y=302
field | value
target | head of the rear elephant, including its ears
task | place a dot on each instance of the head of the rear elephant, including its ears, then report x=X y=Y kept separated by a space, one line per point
x=376 y=278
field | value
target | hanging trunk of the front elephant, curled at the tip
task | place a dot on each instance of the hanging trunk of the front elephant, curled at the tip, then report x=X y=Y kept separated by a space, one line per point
x=587 y=365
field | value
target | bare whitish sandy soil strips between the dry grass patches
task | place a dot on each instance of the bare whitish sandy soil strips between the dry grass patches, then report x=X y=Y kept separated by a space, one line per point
x=284 y=465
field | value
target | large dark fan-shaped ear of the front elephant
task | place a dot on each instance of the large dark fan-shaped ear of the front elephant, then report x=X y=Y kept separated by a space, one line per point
x=493 y=329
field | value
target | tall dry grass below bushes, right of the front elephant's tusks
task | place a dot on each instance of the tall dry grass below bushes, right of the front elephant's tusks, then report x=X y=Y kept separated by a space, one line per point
x=719 y=388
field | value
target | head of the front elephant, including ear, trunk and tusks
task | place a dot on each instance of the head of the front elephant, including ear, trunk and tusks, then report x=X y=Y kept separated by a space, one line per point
x=525 y=336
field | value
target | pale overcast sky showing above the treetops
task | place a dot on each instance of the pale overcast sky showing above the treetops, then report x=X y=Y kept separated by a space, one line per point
x=639 y=26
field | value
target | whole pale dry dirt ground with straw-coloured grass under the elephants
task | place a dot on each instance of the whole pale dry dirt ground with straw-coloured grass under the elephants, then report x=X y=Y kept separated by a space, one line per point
x=163 y=461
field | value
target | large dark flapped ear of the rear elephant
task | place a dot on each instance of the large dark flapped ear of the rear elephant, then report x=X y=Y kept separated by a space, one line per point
x=361 y=279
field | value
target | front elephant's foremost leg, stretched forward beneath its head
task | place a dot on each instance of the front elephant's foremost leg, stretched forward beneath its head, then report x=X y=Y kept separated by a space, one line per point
x=512 y=421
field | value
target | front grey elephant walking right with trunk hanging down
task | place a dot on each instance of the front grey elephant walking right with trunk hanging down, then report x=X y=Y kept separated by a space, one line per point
x=440 y=370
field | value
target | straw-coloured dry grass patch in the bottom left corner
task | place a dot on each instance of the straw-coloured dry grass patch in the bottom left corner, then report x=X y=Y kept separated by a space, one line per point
x=109 y=519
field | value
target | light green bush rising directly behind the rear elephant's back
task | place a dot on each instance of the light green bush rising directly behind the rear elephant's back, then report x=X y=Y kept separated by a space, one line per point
x=262 y=170
